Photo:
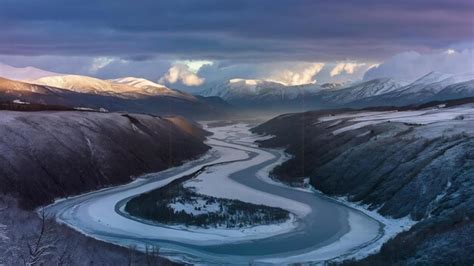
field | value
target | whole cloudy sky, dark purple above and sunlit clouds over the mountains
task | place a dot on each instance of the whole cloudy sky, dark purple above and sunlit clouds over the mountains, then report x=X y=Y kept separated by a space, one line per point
x=195 y=43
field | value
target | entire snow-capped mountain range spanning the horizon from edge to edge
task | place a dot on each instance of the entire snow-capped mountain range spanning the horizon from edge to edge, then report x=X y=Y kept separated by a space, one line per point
x=133 y=94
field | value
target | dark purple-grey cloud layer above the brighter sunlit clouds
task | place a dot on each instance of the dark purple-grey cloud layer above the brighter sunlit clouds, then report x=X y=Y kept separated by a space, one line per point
x=234 y=30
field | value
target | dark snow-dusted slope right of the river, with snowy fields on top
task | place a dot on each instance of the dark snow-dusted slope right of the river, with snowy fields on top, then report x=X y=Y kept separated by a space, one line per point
x=421 y=166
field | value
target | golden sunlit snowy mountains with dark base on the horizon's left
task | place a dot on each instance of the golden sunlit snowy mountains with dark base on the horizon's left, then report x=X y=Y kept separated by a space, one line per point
x=128 y=95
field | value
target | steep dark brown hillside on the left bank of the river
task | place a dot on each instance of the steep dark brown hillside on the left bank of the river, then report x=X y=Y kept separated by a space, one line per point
x=48 y=155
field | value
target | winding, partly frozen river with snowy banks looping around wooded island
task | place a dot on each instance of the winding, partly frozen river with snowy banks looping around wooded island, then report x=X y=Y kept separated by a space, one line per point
x=320 y=229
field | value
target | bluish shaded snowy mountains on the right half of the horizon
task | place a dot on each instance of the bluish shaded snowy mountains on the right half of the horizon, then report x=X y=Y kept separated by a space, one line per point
x=261 y=94
